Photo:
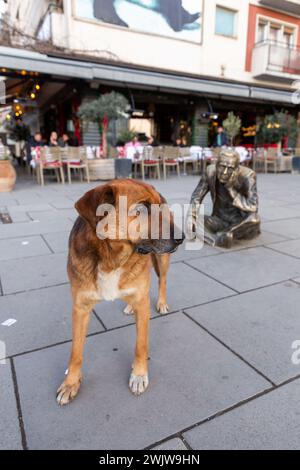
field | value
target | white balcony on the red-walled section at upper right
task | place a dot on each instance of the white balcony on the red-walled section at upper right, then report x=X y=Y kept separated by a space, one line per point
x=276 y=62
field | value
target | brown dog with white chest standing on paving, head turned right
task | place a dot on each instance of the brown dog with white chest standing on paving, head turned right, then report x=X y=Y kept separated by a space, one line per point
x=115 y=268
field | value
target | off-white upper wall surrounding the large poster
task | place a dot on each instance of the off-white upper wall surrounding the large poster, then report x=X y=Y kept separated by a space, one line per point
x=217 y=56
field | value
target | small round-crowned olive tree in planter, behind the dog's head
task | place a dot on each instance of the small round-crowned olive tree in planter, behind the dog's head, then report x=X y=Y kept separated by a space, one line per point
x=102 y=110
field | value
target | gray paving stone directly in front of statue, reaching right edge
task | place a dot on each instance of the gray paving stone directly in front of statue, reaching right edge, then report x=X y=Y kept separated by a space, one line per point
x=249 y=269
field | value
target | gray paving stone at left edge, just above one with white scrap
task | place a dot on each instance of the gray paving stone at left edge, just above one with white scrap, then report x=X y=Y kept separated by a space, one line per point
x=34 y=273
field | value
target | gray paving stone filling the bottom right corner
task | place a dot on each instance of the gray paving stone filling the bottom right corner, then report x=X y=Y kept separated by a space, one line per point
x=271 y=422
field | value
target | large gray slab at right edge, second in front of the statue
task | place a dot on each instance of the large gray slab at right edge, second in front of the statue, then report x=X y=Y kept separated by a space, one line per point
x=261 y=326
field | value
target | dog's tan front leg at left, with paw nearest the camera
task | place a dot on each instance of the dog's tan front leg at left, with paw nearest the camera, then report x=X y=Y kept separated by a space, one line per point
x=70 y=387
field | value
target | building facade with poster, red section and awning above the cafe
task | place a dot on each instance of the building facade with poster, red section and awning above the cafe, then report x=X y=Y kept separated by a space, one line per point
x=178 y=61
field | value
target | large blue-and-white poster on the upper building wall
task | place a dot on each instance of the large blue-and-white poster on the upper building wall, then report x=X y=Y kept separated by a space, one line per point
x=178 y=19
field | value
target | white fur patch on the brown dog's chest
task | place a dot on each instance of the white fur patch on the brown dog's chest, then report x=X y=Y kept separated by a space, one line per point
x=108 y=284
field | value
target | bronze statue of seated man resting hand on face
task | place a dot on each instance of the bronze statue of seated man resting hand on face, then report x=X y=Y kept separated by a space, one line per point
x=235 y=202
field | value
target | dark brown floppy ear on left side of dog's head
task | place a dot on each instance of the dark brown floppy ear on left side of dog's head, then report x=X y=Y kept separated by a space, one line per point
x=87 y=206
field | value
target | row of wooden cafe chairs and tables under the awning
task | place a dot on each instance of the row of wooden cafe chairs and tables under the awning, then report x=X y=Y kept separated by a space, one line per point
x=143 y=161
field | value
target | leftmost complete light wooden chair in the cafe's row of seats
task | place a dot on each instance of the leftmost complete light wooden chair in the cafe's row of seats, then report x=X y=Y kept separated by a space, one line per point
x=50 y=158
